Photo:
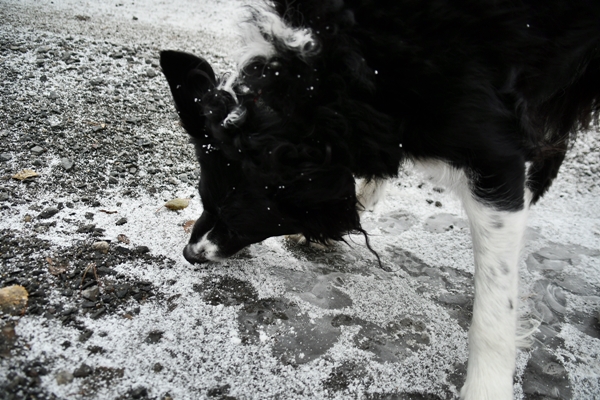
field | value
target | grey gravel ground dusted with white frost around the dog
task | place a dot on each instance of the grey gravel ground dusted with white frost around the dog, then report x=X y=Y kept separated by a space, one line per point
x=114 y=311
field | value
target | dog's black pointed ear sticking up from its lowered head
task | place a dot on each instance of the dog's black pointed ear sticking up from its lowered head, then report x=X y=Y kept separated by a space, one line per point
x=189 y=78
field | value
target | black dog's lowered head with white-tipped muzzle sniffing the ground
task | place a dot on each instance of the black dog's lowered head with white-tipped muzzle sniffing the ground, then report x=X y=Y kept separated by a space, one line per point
x=278 y=141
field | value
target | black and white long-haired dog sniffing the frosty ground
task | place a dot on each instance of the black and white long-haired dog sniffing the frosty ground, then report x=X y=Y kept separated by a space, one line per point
x=485 y=93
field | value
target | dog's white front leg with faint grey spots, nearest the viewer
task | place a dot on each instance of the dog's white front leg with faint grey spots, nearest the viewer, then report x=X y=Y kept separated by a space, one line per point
x=497 y=241
